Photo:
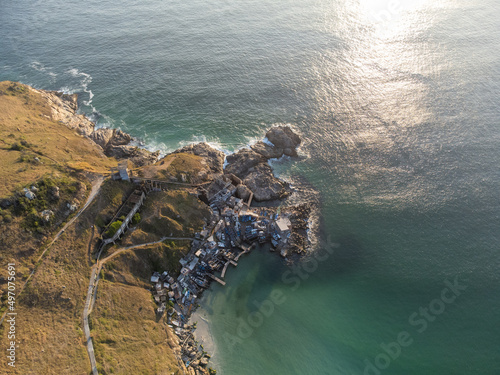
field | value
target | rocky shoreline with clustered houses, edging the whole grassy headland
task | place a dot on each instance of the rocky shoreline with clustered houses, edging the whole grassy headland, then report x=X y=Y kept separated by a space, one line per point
x=230 y=185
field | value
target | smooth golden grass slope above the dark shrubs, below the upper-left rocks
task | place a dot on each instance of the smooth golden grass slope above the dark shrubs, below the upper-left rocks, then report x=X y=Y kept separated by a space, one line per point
x=25 y=116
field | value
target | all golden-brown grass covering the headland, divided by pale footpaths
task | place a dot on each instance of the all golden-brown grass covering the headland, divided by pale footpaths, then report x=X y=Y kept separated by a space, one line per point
x=55 y=164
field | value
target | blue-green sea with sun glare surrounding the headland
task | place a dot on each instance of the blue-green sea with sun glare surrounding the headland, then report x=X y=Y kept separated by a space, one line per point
x=398 y=106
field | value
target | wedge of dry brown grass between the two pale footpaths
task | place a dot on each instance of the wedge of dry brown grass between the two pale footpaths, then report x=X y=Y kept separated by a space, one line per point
x=49 y=311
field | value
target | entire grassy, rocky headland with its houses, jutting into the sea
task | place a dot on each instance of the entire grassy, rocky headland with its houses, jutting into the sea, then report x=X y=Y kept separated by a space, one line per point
x=95 y=224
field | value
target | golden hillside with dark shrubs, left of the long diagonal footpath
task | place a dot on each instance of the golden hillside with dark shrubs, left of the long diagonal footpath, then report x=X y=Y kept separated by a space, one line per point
x=50 y=160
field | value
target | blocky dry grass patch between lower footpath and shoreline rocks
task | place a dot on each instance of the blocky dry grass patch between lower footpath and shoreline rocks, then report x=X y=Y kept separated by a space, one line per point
x=127 y=338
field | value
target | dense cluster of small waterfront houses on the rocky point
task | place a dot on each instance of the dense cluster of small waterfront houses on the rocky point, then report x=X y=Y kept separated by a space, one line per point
x=233 y=229
